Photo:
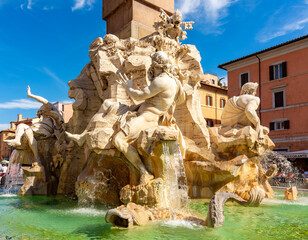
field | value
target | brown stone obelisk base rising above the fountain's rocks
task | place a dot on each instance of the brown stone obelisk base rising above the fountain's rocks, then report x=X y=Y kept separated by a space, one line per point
x=134 y=18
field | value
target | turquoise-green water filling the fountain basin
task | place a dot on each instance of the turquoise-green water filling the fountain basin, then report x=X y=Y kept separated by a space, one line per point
x=61 y=218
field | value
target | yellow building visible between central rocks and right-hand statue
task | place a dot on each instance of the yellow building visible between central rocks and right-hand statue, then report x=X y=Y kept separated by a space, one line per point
x=213 y=99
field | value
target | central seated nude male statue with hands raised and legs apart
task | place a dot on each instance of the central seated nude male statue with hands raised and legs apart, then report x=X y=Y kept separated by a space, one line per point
x=160 y=98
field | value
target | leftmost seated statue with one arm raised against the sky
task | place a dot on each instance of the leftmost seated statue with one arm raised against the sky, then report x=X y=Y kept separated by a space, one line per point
x=51 y=124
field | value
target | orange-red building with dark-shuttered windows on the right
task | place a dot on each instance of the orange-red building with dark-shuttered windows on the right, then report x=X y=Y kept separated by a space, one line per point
x=282 y=74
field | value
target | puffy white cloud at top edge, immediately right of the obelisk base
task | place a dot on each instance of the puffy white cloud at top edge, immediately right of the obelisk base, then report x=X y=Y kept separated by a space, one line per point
x=214 y=10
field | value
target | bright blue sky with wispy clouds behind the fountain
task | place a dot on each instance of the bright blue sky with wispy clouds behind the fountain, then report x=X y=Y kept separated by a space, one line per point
x=44 y=43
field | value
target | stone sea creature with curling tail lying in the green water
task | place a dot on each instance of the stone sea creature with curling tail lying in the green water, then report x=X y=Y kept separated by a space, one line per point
x=132 y=214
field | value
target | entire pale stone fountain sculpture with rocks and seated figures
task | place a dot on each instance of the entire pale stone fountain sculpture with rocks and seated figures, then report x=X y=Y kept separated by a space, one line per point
x=137 y=138
